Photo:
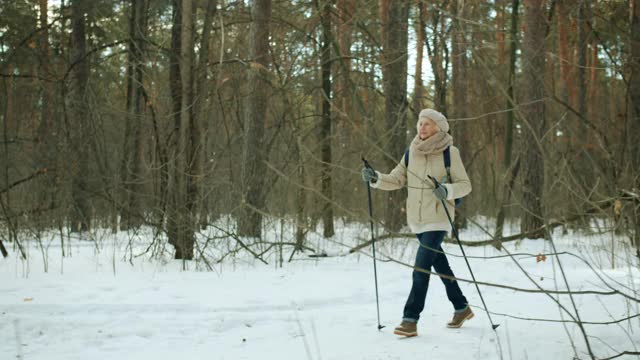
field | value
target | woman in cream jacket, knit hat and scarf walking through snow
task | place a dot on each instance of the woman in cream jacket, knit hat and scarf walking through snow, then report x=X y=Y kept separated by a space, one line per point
x=425 y=214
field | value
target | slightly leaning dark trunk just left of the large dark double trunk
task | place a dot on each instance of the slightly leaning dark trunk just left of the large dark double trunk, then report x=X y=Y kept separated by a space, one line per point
x=132 y=214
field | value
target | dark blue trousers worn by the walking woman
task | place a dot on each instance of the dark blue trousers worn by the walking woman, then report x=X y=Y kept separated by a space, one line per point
x=426 y=259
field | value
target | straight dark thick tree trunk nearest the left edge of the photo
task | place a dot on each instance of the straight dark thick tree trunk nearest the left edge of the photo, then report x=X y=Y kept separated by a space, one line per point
x=77 y=106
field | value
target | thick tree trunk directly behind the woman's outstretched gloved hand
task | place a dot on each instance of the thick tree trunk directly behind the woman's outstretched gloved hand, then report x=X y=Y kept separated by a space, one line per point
x=394 y=85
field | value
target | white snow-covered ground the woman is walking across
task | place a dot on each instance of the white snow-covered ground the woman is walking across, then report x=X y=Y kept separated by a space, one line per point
x=97 y=304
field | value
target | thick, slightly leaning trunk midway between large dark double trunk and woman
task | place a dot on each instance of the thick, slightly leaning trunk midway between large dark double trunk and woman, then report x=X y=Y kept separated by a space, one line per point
x=253 y=154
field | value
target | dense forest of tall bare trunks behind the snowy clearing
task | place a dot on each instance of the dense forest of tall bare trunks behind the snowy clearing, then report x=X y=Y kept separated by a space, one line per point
x=176 y=114
